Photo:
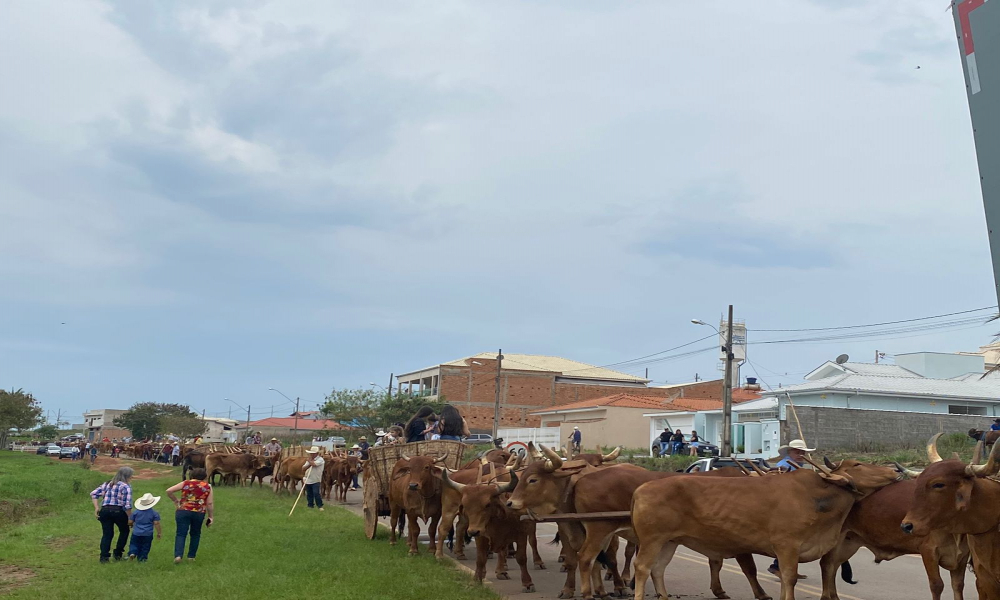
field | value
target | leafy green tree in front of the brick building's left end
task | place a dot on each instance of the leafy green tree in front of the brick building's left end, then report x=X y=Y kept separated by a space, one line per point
x=370 y=410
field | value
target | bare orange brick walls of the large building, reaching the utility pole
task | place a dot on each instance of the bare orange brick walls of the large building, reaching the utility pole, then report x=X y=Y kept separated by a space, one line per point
x=472 y=390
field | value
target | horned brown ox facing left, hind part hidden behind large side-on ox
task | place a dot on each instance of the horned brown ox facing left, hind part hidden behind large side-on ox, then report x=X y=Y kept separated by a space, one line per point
x=545 y=489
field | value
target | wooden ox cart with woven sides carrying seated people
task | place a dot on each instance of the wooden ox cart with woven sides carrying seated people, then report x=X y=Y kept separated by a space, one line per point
x=378 y=468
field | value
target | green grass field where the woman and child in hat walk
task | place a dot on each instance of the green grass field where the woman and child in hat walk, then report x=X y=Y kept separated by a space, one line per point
x=49 y=539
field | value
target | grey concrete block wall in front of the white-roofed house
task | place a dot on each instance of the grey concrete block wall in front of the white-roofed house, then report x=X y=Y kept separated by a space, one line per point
x=853 y=429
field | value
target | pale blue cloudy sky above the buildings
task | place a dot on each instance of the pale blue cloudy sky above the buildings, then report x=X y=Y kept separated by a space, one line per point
x=201 y=200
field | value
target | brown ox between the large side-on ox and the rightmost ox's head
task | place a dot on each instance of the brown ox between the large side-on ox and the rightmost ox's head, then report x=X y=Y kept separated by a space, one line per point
x=874 y=524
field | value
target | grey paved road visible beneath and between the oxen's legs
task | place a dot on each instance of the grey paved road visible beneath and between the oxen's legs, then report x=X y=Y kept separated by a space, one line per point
x=687 y=575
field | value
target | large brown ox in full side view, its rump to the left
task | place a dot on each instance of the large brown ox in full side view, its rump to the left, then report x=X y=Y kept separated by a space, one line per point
x=699 y=515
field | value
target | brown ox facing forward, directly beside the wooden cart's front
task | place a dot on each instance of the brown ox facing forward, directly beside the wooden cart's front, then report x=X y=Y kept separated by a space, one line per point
x=415 y=491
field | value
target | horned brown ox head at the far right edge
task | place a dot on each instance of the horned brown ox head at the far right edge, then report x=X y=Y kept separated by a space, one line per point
x=944 y=497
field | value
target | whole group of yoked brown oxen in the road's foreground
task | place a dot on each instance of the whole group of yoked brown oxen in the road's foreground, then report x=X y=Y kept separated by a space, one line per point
x=948 y=514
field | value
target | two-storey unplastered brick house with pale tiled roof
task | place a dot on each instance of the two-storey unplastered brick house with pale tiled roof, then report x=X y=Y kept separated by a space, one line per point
x=530 y=382
